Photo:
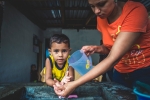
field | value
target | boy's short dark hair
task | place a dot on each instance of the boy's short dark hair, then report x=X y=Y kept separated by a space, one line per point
x=59 y=38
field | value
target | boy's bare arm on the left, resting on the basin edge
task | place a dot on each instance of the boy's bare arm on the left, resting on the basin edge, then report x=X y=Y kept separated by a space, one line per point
x=48 y=76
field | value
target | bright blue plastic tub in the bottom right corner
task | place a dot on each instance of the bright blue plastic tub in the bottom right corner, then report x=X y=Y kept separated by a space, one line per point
x=141 y=96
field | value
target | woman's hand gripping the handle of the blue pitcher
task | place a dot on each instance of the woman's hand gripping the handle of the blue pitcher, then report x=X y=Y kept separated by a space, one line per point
x=89 y=49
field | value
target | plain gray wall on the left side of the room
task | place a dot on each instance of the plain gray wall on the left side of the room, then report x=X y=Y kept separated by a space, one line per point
x=16 y=52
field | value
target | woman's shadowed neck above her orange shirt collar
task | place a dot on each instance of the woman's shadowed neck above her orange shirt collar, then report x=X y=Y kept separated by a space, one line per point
x=116 y=12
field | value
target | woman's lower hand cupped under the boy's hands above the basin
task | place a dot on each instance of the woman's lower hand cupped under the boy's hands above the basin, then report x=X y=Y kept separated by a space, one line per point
x=64 y=90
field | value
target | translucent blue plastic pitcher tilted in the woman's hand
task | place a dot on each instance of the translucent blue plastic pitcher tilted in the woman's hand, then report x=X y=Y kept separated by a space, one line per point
x=80 y=62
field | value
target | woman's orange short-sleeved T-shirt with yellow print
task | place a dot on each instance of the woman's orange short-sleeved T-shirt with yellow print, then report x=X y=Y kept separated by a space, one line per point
x=134 y=18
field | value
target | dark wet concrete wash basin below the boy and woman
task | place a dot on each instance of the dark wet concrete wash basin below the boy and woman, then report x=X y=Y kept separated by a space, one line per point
x=88 y=91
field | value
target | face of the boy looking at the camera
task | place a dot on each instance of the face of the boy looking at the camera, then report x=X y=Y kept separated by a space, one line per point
x=60 y=52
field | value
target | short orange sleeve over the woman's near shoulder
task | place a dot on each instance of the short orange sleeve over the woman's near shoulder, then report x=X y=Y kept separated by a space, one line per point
x=136 y=20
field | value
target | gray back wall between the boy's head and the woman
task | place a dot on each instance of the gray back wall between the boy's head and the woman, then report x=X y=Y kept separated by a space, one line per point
x=83 y=37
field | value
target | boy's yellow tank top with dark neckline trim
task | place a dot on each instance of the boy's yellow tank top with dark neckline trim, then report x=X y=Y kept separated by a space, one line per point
x=58 y=73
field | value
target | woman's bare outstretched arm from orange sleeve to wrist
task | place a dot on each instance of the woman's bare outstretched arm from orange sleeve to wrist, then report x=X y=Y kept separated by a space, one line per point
x=123 y=43
